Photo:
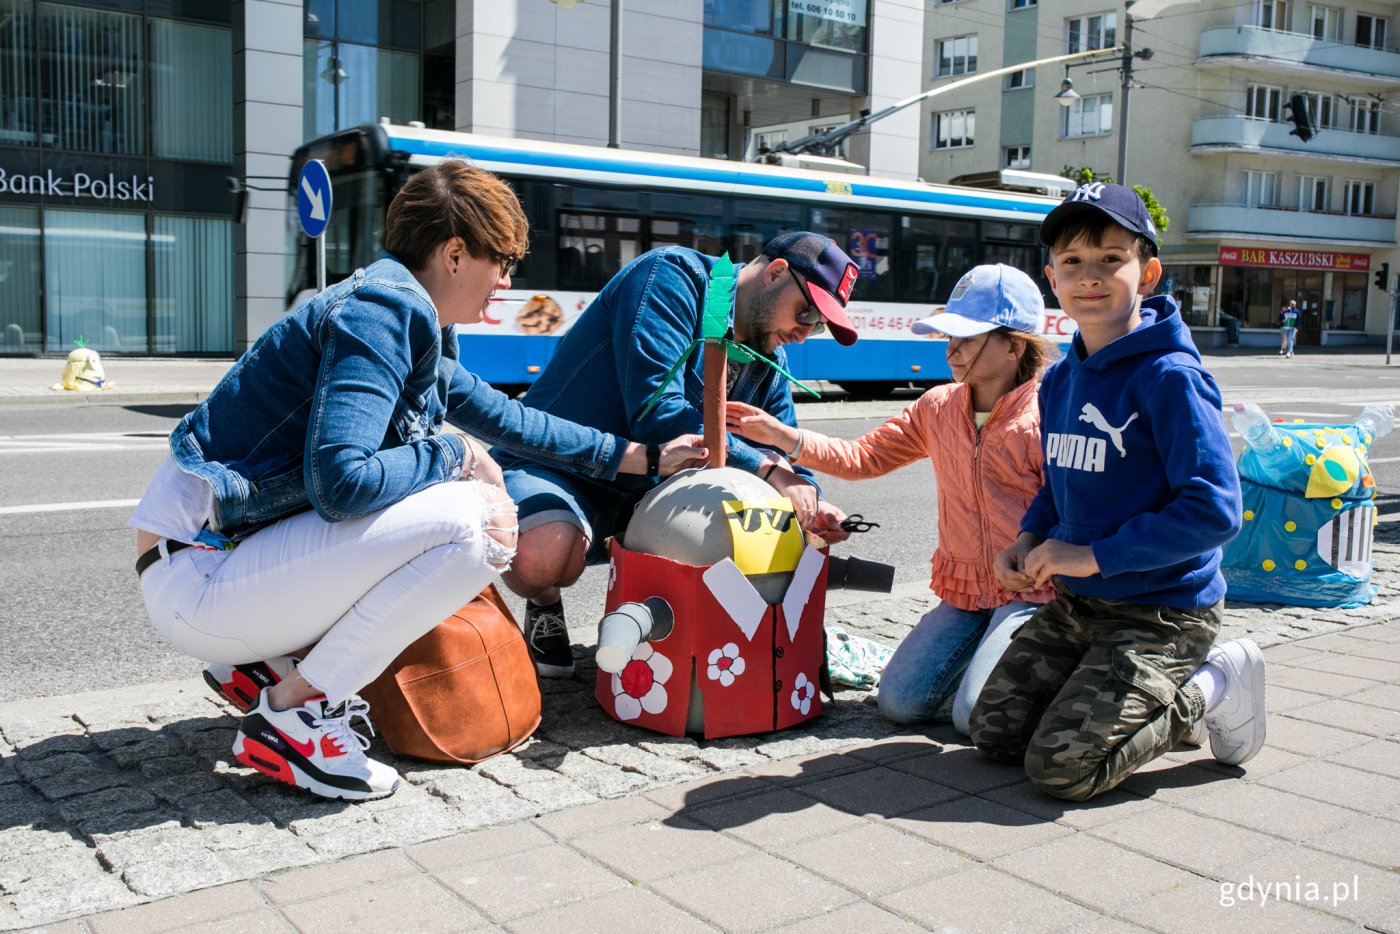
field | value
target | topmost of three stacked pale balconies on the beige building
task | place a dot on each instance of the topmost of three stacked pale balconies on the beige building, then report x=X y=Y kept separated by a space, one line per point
x=1291 y=54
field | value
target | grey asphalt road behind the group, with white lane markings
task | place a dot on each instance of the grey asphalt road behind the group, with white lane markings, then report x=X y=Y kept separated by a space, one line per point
x=72 y=618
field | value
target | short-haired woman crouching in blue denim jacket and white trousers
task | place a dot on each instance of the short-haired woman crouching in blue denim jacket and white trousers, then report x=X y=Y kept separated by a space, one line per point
x=316 y=485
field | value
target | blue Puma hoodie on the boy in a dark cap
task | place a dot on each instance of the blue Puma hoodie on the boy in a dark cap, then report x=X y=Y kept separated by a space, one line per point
x=1137 y=464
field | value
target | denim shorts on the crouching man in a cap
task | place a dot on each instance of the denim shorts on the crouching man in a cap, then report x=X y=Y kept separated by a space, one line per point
x=598 y=510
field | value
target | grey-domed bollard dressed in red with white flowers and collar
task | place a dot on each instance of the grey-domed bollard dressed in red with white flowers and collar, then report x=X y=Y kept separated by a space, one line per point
x=715 y=611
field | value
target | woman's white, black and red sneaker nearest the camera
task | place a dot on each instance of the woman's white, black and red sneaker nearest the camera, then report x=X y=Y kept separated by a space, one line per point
x=314 y=748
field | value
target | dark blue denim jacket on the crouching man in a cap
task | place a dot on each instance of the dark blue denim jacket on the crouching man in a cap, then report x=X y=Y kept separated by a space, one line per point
x=619 y=351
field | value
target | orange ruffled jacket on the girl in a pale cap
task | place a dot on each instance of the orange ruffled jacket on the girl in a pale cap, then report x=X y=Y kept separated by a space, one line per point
x=985 y=484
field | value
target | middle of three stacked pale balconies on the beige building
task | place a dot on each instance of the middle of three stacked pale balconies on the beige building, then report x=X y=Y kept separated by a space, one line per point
x=1248 y=135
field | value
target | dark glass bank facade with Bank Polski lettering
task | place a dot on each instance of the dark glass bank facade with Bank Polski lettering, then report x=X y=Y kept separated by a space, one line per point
x=115 y=142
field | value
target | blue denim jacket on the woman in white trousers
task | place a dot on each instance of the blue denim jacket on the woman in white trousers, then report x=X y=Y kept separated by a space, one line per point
x=341 y=407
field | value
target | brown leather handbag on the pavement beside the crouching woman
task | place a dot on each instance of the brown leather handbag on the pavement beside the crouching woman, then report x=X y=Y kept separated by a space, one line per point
x=464 y=692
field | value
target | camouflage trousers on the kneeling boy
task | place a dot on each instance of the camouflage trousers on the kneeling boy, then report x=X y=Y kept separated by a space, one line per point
x=1091 y=690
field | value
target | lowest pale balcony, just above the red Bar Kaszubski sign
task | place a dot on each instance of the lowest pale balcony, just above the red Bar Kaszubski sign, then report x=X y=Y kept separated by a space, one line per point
x=1242 y=222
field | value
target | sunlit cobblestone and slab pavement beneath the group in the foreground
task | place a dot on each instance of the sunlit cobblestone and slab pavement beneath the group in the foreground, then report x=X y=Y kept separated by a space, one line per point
x=115 y=799
